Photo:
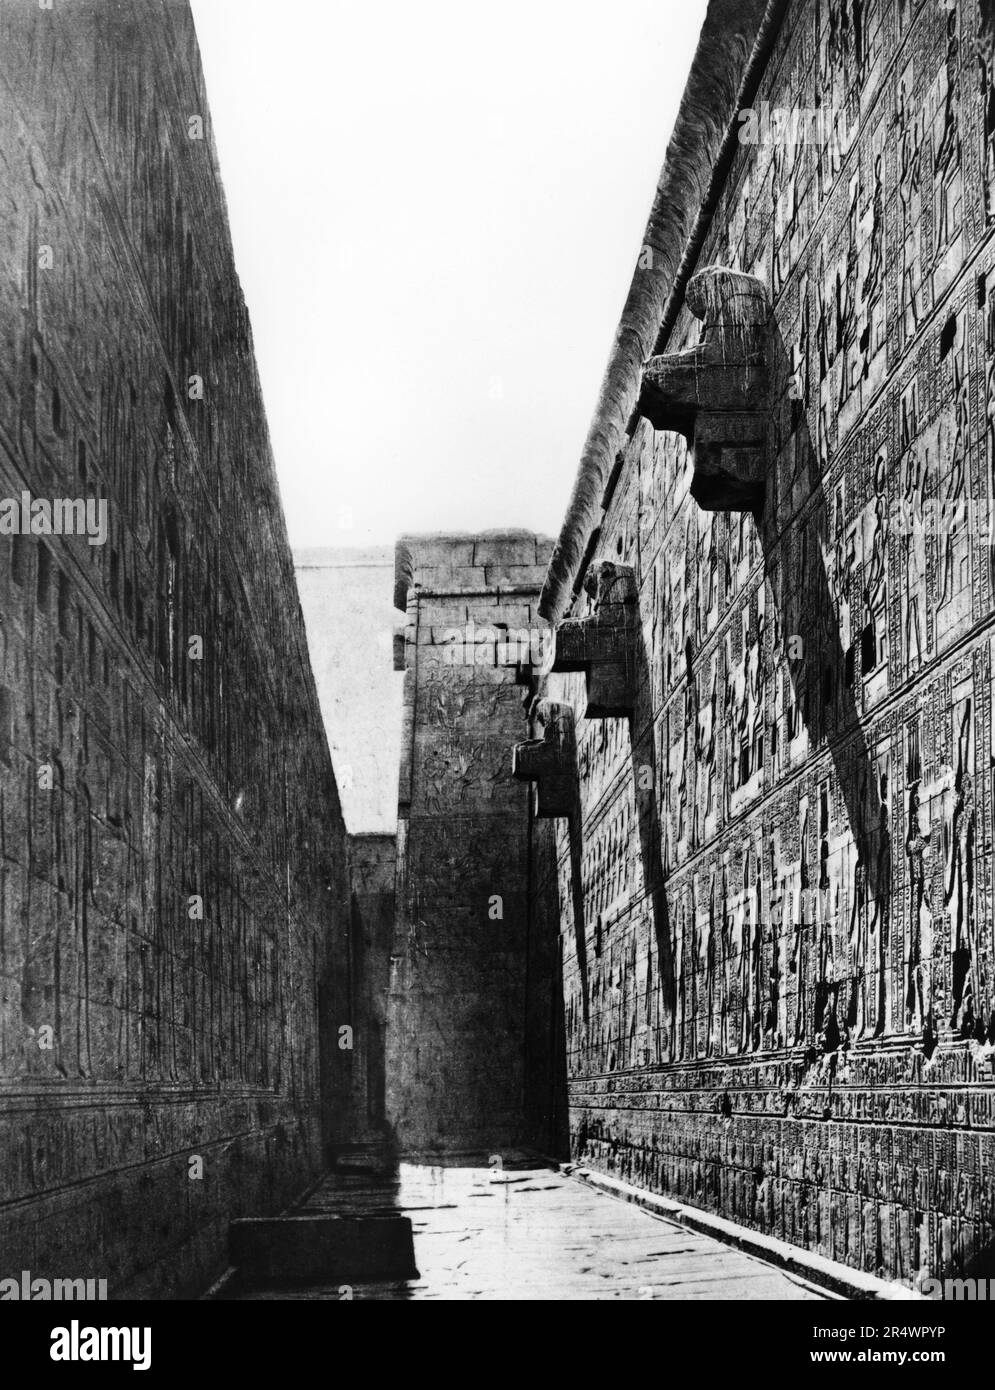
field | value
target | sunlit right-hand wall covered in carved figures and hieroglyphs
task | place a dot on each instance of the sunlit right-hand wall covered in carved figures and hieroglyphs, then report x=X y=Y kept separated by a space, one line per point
x=778 y=899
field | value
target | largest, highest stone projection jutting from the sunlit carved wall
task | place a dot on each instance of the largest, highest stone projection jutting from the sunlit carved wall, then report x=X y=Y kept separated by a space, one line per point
x=716 y=394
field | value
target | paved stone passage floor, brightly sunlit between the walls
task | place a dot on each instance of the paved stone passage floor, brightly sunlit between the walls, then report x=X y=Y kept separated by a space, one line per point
x=526 y=1234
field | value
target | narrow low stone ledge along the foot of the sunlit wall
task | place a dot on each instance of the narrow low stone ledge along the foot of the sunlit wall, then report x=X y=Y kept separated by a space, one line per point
x=807 y=1264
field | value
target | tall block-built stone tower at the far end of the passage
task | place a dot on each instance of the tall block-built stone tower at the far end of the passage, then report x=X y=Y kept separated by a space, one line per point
x=462 y=990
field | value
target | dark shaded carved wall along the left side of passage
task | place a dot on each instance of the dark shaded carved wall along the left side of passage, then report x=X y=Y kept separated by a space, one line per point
x=172 y=846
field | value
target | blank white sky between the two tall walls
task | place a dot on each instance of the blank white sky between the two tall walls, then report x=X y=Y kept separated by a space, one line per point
x=437 y=208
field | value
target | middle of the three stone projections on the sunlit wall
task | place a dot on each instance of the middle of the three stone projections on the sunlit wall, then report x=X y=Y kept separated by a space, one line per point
x=604 y=644
